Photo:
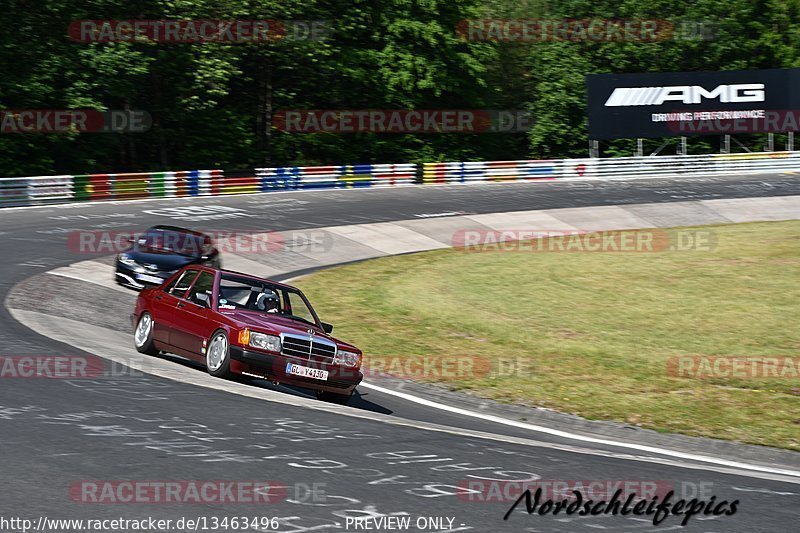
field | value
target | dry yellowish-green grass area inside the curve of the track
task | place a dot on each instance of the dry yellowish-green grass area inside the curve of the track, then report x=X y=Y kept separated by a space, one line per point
x=597 y=329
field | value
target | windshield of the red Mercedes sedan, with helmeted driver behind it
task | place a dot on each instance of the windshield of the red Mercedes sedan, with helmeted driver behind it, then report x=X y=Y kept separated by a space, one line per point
x=236 y=293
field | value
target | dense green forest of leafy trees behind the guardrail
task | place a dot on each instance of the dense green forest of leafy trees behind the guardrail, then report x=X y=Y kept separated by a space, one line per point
x=213 y=104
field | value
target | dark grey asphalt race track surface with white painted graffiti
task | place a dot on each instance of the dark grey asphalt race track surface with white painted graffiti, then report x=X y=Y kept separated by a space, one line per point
x=385 y=457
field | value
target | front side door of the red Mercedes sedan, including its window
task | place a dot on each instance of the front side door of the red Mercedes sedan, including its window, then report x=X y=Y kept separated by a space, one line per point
x=192 y=315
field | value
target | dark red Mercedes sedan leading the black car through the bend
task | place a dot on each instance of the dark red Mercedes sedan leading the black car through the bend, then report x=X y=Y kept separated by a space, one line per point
x=241 y=324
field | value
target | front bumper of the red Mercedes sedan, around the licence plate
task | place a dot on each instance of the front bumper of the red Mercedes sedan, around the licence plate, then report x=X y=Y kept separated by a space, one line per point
x=341 y=380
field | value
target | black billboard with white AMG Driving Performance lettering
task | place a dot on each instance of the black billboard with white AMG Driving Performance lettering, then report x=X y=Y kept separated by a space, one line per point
x=669 y=104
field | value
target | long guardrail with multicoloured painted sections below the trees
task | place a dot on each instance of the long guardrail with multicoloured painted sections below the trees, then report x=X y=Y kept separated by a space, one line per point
x=43 y=190
